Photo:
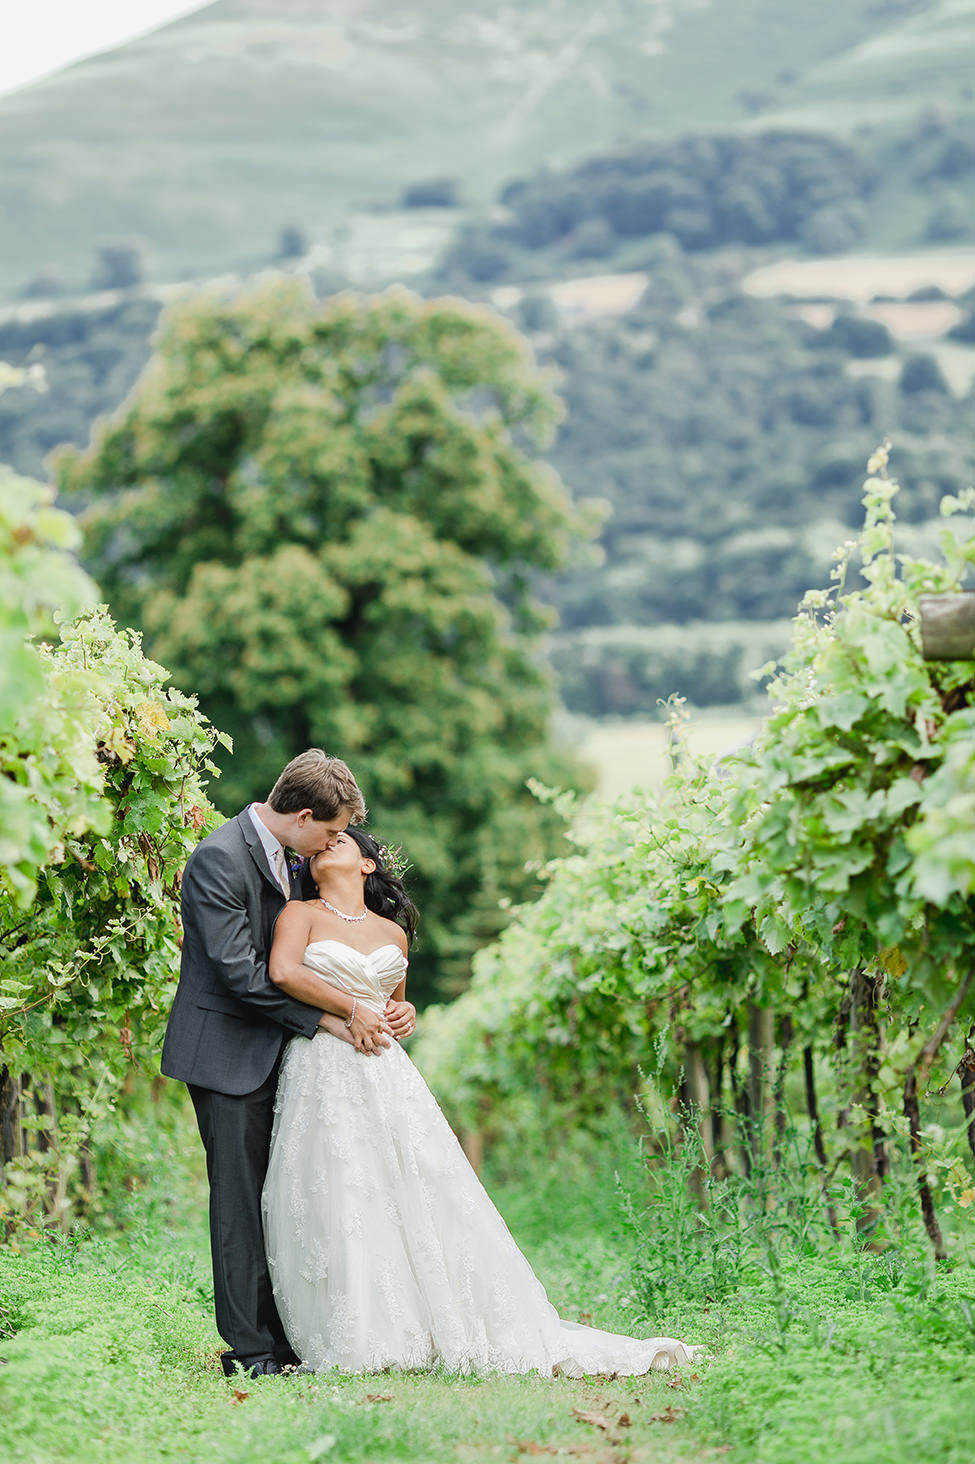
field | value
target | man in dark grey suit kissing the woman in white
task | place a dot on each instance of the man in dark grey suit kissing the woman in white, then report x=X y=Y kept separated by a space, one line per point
x=229 y=1027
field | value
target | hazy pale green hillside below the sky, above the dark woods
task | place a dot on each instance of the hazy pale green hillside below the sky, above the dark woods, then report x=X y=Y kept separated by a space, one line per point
x=212 y=135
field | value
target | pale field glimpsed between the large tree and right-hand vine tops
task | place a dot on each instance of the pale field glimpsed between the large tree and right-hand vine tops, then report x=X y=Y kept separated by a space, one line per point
x=636 y=755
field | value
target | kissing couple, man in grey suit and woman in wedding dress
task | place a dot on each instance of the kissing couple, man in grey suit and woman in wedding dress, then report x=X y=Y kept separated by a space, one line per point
x=348 y=1229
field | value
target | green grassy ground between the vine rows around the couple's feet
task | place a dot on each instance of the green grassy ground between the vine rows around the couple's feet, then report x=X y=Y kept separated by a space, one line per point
x=821 y=1348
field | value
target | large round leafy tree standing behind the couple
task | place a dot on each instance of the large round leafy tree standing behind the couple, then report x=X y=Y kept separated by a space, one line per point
x=326 y=518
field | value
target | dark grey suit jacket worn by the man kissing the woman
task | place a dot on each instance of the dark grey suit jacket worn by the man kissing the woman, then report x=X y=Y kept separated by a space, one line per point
x=229 y=1021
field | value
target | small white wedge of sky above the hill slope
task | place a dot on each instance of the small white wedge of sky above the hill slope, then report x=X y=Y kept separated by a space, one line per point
x=39 y=37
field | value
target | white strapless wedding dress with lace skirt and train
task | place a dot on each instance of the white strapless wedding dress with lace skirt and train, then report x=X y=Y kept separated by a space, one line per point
x=383 y=1245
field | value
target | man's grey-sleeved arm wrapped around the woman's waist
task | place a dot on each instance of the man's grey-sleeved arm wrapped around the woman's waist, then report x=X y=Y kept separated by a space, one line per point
x=214 y=904
